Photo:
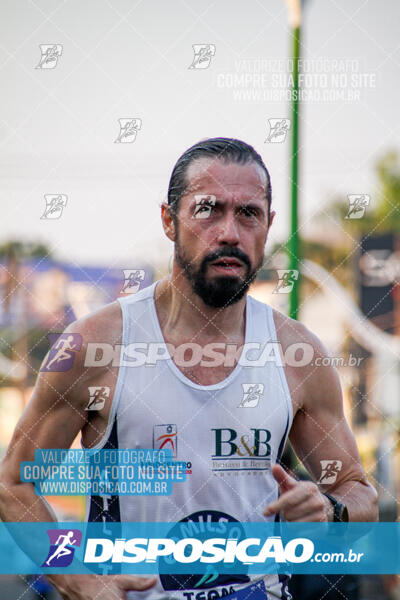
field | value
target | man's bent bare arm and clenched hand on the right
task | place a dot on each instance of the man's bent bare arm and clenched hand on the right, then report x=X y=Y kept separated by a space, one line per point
x=324 y=442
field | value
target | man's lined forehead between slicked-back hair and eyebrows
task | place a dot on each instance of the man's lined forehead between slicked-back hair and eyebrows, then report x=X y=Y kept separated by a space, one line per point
x=224 y=179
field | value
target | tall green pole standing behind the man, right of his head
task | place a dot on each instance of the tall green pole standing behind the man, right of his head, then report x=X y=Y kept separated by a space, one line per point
x=293 y=245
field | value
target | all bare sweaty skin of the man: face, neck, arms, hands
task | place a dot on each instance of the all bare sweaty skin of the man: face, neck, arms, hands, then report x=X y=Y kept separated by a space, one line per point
x=56 y=412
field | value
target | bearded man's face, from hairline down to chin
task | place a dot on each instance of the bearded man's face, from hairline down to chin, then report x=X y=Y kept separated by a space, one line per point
x=222 y=228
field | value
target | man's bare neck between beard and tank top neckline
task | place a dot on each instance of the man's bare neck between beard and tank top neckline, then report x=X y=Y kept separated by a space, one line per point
x=183 y=313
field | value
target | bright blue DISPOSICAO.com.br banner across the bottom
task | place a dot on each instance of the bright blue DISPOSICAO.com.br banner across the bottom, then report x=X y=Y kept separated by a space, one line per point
x=191 y=547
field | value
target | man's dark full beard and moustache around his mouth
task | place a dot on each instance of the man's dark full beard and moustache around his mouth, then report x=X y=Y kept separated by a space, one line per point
x=217 y=292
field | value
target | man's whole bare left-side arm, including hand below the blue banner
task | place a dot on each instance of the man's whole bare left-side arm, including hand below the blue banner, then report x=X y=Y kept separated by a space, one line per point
x=52 y=419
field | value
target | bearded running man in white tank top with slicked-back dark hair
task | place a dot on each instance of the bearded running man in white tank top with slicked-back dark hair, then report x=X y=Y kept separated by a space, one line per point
x=211 y=327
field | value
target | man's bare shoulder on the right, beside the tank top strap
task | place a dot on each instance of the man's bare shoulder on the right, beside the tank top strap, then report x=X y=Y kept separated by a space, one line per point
x=309 y=370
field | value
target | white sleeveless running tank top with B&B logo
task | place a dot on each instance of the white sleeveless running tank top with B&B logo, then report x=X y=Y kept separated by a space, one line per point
x=229 y=434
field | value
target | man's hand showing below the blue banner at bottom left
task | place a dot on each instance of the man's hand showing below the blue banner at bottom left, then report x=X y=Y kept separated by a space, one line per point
x=100 y=587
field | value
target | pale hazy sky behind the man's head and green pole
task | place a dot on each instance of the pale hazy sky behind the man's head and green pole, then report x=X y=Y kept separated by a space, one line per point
x=125 y=59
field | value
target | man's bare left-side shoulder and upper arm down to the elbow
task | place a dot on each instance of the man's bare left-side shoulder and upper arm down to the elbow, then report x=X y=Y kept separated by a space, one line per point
x=57 y=410
